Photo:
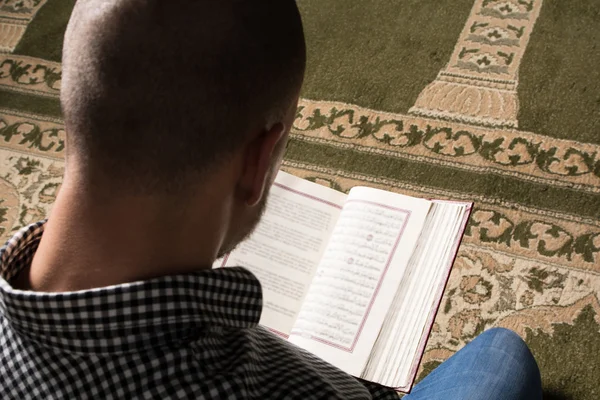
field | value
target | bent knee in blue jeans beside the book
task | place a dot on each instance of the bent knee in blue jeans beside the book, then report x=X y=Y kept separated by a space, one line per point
x=495 y=365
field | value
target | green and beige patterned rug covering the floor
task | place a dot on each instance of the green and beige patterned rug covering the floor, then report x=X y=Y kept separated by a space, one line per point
x=487 y=100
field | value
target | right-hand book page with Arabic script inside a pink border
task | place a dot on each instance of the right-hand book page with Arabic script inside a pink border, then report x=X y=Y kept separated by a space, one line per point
x=358 y=276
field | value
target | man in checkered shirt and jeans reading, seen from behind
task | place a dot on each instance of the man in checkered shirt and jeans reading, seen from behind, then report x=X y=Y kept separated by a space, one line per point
x=177 y=114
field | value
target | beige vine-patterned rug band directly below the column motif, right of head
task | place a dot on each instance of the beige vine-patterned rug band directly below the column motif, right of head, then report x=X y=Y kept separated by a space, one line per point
x=509 y=152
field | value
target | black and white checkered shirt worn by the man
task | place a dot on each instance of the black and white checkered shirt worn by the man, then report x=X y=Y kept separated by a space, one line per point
x=181 y=336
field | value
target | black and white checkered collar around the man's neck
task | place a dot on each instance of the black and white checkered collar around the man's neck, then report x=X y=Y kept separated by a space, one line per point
x=129 y=316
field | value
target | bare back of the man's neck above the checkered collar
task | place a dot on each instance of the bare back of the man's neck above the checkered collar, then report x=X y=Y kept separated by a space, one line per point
x=92 y=241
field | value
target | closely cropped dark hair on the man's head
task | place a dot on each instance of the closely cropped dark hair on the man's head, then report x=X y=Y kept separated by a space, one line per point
x=157 y=90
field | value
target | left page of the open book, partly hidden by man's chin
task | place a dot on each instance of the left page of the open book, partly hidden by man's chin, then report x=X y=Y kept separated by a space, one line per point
x=284 y=250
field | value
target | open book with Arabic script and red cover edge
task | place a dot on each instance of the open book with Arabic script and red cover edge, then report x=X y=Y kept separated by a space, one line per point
x=355 y=279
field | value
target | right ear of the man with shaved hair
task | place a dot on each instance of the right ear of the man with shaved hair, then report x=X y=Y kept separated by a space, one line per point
x=261 y=153
